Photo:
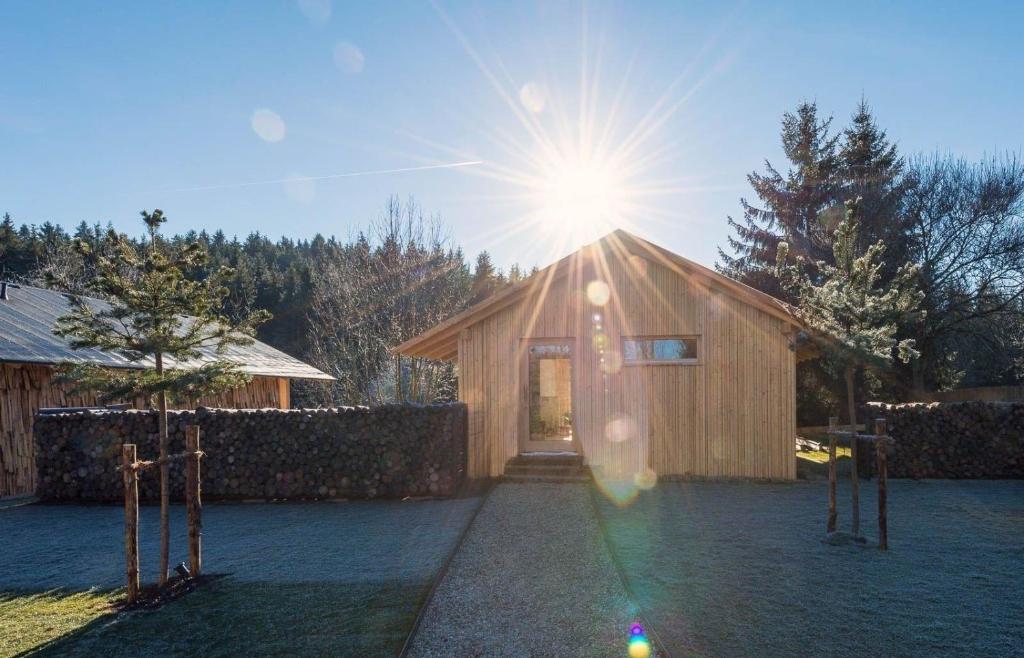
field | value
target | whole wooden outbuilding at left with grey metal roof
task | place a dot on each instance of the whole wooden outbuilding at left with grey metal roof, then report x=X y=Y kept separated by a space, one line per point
x=29 y=352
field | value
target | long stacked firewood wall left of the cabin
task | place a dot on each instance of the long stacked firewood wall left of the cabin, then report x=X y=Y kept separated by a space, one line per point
x=354 y=453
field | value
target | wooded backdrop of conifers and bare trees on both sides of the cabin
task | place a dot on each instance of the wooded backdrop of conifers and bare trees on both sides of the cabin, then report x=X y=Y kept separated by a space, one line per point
x=961 y=223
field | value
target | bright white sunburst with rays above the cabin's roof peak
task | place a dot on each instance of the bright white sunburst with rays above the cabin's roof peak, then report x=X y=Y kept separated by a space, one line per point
x=582 y=159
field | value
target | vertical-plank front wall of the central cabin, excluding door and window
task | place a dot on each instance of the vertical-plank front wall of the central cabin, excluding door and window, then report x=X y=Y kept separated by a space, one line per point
x=731 y=415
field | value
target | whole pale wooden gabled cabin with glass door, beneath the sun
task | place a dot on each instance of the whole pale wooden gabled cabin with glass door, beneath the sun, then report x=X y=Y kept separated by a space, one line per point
x=643 y=363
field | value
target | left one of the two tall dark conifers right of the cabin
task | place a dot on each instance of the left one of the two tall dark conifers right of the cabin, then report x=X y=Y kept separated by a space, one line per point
x=797 y=207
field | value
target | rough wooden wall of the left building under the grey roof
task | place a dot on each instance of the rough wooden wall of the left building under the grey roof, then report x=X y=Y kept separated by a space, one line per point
x=27 y=388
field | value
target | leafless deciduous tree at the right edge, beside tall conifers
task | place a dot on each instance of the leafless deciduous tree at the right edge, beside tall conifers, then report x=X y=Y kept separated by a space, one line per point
x=965 y=228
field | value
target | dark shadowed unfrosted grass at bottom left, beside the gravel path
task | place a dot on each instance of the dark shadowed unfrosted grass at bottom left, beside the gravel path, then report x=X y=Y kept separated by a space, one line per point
x=233 y=619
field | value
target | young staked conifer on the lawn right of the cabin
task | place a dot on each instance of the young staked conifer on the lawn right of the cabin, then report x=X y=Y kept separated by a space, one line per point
x=851 y=318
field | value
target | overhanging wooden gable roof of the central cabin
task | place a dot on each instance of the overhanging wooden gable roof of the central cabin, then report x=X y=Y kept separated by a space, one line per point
x=441 y=342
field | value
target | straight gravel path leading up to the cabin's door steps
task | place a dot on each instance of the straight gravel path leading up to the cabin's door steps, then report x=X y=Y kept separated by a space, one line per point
x=533 y=579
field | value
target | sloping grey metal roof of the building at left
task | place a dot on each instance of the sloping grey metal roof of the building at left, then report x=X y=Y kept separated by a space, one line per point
x=28 y=318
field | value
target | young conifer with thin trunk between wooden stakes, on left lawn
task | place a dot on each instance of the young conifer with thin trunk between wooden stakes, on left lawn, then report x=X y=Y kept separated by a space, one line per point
x=158 y=318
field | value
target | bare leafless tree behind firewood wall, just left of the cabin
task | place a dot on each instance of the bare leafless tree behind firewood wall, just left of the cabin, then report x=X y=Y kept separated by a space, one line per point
x=379 y=291
